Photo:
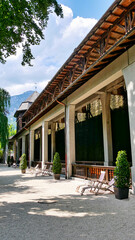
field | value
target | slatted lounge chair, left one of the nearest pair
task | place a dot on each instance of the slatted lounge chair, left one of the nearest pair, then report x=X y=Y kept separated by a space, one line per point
x=95 y=184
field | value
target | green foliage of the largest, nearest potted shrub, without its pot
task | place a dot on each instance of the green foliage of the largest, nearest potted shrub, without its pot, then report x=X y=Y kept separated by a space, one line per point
x=122 y=170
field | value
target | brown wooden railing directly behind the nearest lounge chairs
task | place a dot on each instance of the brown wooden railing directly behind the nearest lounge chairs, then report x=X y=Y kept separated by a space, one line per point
x=92 y=171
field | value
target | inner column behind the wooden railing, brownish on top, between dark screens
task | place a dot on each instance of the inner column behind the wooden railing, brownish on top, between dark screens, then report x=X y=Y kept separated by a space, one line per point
x=107 y=129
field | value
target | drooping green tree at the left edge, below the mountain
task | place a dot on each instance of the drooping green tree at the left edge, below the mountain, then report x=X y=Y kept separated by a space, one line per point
x=4 y=104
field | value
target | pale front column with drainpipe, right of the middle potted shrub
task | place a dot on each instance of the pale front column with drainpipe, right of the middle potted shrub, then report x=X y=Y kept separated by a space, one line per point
x=70 y=138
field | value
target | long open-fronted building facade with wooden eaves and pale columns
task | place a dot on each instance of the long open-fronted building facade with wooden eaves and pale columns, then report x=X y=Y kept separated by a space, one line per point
x=100 y=70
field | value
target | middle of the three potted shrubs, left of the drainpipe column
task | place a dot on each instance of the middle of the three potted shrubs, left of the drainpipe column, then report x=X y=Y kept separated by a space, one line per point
x=56 y=166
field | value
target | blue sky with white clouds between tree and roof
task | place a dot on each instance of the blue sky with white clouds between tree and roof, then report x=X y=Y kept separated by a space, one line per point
x=62 y=36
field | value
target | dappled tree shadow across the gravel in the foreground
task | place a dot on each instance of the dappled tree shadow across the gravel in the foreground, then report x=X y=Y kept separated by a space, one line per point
x=67 y=217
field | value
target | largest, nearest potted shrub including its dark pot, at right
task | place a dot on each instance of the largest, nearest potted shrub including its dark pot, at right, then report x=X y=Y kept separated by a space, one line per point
x=121 y=176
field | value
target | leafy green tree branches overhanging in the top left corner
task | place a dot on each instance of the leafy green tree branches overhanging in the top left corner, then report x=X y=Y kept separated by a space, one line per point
x=21 y=25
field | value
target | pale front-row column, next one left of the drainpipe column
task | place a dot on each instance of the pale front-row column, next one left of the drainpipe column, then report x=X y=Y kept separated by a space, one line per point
x=44 y=143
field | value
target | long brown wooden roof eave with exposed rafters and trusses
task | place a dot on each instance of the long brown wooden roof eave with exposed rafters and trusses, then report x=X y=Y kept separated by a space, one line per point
x=109 y=38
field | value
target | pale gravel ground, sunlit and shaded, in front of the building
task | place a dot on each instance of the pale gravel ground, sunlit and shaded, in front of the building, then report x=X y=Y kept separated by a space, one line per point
x=36 y=208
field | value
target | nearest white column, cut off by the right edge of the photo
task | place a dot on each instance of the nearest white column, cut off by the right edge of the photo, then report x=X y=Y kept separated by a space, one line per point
x=129 y=76
